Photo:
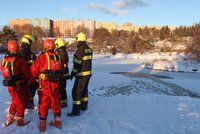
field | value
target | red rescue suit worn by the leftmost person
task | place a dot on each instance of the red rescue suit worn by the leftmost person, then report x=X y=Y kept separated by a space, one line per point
x=15 y=68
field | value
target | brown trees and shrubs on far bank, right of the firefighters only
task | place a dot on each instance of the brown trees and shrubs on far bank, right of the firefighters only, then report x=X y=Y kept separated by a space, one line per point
x=145 y=38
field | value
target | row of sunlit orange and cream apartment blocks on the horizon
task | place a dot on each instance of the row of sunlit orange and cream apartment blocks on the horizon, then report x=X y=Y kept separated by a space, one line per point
x=70 y=28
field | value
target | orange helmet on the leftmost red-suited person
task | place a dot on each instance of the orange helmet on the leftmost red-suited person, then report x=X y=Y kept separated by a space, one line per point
x=12 y=46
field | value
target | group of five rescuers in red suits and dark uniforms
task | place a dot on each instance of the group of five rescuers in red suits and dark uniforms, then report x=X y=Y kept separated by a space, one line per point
x=24 y=73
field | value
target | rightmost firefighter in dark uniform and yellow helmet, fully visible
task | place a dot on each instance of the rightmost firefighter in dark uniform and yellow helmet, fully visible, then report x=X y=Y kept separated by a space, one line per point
x=82 y=66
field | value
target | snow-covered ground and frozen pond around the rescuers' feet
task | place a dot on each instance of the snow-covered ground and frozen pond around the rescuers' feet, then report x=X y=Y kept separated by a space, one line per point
x=126 y=98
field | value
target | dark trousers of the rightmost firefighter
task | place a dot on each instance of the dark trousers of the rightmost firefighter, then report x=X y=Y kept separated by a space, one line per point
x=80 y=89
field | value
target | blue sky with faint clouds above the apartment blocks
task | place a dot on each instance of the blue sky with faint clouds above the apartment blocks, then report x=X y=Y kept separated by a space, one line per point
x=139 y=12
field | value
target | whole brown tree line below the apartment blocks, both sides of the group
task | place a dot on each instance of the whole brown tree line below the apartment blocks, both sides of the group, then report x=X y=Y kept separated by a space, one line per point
x=126 y=41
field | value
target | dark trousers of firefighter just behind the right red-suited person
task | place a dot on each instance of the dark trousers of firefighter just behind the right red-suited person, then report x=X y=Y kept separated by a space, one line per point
x=63 y=91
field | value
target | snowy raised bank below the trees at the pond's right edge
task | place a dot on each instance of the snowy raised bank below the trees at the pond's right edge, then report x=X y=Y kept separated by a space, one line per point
x=166 y=62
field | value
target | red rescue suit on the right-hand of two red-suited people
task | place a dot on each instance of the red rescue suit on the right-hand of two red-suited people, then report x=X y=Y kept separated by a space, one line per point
x=49 y=95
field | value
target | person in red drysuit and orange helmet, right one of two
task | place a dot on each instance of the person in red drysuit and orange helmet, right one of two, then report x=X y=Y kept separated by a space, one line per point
x=47 y=67
